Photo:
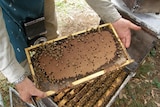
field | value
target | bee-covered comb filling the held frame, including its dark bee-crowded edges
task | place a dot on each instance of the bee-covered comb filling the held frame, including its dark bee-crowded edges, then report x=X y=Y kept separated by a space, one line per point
x=75 y=57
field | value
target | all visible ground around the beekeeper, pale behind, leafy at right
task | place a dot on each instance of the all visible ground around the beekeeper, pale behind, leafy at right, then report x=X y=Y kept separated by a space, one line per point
x=142 y=91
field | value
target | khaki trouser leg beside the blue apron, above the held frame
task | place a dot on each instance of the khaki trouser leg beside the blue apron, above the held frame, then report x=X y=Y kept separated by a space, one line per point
x=50 y=19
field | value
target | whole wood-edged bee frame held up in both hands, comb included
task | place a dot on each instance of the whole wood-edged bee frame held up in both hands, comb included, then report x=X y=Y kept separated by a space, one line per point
x=77 y=58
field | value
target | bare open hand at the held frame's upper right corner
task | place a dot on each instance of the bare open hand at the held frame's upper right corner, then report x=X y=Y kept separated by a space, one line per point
x=123 y=27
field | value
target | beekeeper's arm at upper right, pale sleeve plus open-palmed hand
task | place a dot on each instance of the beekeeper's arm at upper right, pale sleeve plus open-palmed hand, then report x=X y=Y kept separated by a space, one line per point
x=109 y=14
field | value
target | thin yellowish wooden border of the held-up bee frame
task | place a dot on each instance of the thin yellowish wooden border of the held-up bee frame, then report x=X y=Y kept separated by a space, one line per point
x=127 y=59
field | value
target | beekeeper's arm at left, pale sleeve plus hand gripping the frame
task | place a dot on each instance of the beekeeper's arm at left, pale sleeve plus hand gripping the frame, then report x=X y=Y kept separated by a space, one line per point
x=11 y=69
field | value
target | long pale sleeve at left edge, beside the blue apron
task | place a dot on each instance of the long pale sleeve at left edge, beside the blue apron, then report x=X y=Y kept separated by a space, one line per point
x=9 y=66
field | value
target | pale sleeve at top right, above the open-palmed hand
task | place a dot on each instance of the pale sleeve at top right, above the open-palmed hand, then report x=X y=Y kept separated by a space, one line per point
x=105 y=9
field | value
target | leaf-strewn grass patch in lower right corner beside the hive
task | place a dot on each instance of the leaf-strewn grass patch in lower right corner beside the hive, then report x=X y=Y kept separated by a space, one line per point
x=143 y=90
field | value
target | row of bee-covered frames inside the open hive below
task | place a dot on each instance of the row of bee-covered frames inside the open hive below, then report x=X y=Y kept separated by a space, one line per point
x=94 y=93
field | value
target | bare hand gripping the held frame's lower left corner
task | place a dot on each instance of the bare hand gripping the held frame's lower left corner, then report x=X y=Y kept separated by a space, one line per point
x=27 y=89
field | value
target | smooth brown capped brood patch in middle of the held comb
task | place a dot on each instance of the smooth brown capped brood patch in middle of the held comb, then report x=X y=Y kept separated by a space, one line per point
x=81 y=56
